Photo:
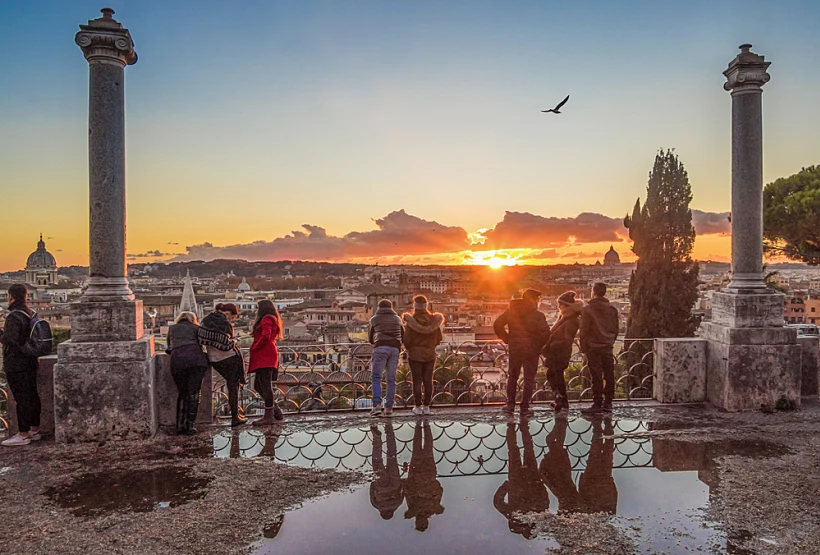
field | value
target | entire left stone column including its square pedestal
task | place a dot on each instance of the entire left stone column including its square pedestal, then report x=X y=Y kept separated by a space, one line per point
x=104 y=376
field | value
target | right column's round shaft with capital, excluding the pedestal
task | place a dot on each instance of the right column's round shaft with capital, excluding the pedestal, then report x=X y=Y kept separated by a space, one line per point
x=745 y=78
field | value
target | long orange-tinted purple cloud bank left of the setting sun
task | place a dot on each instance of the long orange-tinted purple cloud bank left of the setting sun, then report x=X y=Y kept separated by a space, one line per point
x=398 y=234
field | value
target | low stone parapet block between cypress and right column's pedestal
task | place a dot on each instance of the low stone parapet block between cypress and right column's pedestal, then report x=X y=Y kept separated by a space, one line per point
x=680 y=370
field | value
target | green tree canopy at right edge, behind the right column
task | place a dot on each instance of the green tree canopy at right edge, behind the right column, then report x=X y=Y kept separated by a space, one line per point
x=791 y=216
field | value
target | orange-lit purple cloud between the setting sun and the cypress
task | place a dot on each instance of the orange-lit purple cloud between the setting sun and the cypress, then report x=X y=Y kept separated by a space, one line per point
x=525 y=230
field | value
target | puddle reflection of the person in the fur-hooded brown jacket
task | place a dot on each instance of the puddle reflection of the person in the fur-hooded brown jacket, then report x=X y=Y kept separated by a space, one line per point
x=422 y=490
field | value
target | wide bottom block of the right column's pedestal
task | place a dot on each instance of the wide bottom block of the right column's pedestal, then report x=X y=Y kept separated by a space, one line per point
x=752 y=368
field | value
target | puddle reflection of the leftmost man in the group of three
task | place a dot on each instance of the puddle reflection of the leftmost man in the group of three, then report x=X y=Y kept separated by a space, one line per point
x=524 y=491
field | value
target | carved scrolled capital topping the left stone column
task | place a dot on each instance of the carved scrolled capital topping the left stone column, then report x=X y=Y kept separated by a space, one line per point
x=105 y=41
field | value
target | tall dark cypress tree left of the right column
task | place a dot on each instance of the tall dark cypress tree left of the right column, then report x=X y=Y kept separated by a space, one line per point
x=663 y=287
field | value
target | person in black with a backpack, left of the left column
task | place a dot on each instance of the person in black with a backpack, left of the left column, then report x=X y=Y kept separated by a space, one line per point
x=21 y=369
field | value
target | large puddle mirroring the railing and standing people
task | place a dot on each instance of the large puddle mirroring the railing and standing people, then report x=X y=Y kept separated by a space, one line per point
x=453 y=487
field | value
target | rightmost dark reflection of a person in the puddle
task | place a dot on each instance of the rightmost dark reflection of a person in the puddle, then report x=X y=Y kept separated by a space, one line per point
x=596 y=487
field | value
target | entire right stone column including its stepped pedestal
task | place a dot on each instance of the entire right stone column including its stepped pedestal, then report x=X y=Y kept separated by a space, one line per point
x=753 y=361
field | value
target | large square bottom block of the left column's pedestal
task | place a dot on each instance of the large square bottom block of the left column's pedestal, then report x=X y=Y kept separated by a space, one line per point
x=104 y=391
